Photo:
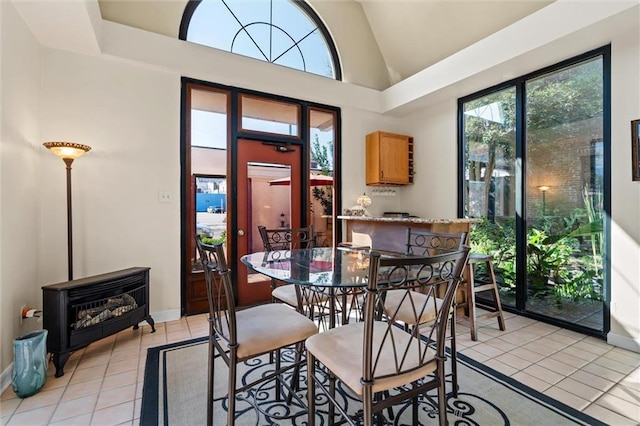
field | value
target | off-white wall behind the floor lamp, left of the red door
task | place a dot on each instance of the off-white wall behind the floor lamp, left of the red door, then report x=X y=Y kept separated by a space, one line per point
x=130 y=116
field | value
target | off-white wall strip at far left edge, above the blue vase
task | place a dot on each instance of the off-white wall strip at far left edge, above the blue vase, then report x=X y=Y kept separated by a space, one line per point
x=20 y=176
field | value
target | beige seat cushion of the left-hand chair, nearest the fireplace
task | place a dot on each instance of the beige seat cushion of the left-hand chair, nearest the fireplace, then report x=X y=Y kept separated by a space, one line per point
x=264 y=328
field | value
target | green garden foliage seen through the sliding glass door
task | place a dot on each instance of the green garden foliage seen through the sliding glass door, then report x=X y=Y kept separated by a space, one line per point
x=564 y=253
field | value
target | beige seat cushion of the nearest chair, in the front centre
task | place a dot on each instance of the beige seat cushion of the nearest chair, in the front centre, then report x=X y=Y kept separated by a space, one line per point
x=340 y=349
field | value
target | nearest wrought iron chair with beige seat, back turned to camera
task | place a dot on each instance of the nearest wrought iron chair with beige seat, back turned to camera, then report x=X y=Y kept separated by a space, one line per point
x=381 y=363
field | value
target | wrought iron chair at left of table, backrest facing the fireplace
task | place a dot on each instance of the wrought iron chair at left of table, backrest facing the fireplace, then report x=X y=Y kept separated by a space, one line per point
x=237 y=336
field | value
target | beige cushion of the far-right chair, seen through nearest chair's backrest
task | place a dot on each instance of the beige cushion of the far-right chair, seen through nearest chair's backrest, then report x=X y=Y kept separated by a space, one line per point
x=408 y=308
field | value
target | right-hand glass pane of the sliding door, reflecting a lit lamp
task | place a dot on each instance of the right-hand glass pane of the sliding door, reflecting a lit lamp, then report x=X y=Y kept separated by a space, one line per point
x=564 y=193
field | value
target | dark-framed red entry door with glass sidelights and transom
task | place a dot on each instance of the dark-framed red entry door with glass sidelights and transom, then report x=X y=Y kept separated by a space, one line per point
x=251 y=159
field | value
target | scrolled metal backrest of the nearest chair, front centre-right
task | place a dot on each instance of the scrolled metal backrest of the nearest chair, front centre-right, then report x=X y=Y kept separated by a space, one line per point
x=390 y=350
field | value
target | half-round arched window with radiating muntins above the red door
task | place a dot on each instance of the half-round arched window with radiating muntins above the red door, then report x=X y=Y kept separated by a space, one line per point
x=283 y=32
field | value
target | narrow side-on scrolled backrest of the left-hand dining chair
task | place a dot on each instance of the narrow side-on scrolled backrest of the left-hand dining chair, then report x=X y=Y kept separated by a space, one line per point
x=219 y=290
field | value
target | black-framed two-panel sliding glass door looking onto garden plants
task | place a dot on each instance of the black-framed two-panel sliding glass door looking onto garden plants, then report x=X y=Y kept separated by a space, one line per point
x=535 y=168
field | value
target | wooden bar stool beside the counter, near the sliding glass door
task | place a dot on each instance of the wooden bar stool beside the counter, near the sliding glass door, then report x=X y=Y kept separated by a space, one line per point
x=473 y=286
